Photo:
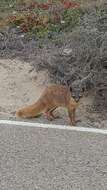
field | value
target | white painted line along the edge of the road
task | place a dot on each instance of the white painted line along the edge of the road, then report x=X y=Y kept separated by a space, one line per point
x=52 y=126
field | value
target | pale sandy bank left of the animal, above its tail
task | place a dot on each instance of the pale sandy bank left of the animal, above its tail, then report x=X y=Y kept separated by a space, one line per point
x=19 y=85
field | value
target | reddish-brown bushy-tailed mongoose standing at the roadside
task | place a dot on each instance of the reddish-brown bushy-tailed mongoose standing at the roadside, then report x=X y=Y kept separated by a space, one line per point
x=53 y=96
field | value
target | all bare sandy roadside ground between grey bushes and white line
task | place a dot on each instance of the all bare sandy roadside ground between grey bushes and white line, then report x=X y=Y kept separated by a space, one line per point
x=20 y=85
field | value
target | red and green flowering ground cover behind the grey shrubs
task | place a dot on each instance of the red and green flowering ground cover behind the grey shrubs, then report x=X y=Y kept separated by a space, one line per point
x=45 y=18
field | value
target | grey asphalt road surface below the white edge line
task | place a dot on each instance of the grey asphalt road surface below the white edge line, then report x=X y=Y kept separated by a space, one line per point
x=51 y=159
